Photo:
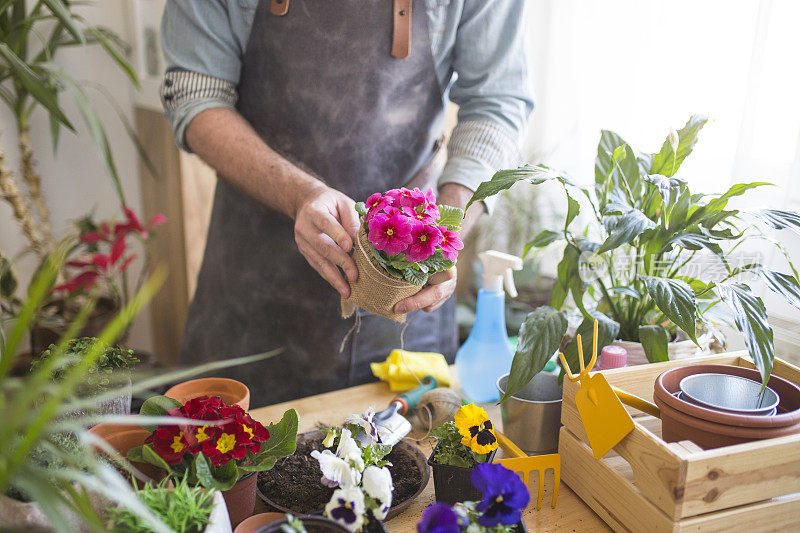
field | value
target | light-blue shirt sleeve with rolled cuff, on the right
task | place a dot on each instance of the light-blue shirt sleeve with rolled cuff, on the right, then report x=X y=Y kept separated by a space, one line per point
x=492 y=90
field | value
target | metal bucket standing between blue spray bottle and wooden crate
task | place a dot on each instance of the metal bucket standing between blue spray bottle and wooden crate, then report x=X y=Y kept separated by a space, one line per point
x=532 y=417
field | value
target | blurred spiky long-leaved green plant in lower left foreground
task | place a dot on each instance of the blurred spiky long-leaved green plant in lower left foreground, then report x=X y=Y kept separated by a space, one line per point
x=33 y=409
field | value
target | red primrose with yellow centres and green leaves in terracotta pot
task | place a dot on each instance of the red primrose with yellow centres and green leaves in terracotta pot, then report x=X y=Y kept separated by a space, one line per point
x=223 y=455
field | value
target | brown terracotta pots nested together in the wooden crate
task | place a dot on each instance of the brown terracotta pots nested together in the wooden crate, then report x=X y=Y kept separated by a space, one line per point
x=711 y=428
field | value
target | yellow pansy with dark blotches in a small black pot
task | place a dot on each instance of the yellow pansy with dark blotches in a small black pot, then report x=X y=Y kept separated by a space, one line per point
x=462 y=444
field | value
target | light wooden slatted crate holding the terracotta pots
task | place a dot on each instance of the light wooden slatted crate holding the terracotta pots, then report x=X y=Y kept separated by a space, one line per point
x=646 y=484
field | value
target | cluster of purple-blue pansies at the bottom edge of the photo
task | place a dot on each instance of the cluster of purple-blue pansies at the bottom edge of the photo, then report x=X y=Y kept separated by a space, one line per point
x=498 y=509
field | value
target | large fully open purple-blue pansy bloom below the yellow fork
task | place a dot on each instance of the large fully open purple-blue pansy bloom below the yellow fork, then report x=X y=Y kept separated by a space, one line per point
x=504 y=494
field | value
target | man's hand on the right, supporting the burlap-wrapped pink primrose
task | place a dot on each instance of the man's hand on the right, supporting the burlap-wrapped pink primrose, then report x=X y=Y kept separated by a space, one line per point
x=442 y=284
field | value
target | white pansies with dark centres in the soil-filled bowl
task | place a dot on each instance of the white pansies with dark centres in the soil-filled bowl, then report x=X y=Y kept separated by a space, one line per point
x=358 y=471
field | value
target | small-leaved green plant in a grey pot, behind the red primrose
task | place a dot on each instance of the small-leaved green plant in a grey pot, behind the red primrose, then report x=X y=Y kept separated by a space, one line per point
x=111 y=370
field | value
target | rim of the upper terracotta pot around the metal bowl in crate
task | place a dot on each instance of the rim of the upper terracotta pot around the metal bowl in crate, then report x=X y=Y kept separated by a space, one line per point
x=666 y=396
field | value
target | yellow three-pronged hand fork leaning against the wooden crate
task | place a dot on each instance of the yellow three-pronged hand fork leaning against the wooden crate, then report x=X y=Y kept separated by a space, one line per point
x=604 y=417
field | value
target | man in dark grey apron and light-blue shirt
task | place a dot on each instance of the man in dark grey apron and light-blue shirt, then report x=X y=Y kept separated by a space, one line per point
x=303 y=107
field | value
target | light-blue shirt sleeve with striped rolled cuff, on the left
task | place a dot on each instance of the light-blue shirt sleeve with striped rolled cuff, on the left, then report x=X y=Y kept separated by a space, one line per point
x=203 y=61
